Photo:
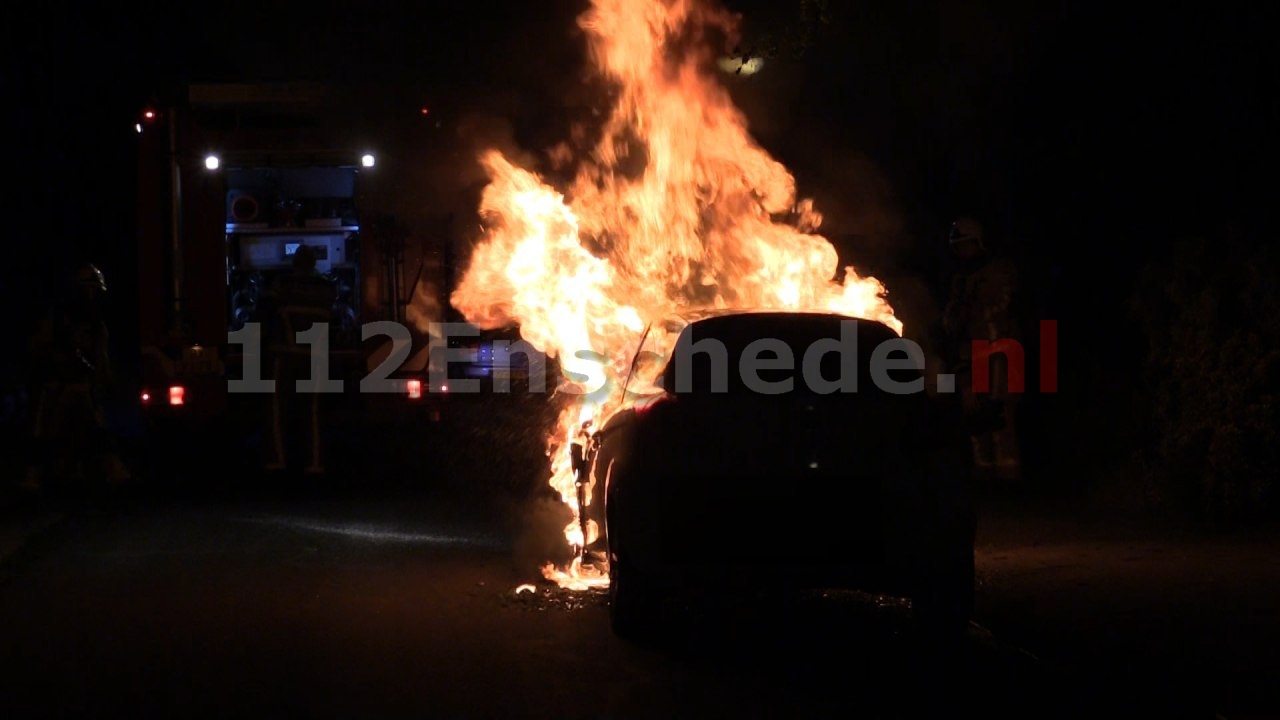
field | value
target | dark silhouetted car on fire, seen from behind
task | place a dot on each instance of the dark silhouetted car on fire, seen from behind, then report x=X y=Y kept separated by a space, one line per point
x=787 y=450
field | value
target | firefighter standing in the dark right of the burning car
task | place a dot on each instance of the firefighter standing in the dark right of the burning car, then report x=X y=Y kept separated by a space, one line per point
x=981 y=308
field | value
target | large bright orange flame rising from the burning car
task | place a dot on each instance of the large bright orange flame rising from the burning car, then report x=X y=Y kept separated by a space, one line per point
x=676 y=208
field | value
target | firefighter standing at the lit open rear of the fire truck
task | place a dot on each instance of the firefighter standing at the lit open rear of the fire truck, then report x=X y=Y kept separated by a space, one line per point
x=296 y=303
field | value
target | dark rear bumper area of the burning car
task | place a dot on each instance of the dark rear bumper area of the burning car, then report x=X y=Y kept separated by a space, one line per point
x=819 y=532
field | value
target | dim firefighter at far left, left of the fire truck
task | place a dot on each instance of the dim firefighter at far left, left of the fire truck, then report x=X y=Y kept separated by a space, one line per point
x=72 y=368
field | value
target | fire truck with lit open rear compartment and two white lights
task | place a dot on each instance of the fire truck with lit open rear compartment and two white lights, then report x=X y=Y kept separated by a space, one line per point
x=234 y=180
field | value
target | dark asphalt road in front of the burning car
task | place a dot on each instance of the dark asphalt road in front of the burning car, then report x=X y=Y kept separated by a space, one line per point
x=394 y=604
